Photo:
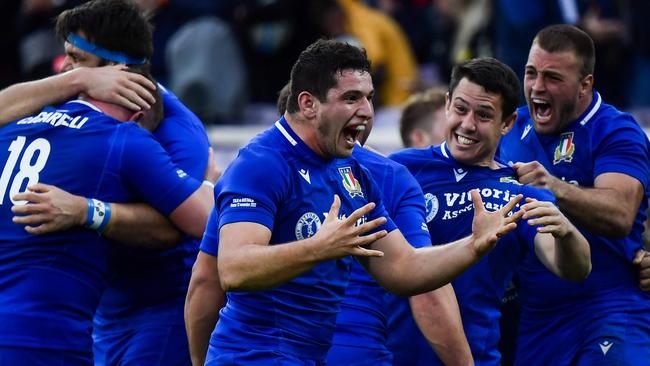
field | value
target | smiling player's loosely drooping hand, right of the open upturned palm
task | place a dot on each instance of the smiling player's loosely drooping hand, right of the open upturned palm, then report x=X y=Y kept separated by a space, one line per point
x=547 y=216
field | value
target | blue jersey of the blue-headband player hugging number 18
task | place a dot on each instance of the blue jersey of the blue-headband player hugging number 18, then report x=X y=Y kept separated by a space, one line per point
x=153 y=279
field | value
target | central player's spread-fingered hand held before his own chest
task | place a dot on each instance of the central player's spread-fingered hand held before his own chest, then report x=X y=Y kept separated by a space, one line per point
x=338 y=238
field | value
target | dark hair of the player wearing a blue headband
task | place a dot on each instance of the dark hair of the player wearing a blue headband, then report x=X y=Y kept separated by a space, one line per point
x=116 y=25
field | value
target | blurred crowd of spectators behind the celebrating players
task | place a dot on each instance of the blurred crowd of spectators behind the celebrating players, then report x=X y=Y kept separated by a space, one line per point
x=222 y=57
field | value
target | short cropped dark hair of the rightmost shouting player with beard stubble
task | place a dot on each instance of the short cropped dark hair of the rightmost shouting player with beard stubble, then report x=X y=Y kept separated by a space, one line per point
x=566 y=37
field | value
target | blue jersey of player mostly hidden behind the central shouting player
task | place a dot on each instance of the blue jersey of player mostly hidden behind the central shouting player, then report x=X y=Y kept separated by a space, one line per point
x=362 y=320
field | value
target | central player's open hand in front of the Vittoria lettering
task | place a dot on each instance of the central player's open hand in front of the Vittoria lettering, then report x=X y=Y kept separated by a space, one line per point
x=488 y=227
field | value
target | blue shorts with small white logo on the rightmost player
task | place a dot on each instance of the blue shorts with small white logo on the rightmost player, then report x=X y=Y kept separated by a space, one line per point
x=616 y=338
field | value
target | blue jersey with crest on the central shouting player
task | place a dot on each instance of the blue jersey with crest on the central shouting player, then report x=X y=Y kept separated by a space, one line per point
x=279 y=182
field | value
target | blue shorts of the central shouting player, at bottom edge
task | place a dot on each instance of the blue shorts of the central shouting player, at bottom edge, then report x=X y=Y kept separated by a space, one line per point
x=228 y=357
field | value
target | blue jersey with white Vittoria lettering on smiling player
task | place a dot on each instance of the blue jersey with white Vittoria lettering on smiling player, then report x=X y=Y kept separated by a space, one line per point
x=446 y=184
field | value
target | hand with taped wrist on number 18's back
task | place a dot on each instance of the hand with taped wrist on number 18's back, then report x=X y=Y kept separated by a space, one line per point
x=48 y=209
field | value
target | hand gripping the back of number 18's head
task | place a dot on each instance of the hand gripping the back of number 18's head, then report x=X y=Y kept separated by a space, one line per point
x=114 y=84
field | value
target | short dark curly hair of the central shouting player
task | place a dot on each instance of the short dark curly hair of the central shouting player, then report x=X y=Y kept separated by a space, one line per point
x=316 y=67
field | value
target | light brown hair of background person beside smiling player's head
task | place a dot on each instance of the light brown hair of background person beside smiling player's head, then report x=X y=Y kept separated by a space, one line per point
x=416 y=110
